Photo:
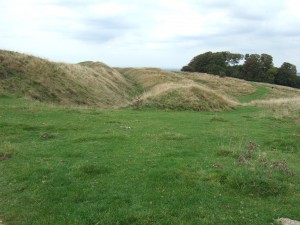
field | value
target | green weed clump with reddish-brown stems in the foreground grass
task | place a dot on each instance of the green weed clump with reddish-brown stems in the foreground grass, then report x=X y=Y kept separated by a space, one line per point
x=253 y=174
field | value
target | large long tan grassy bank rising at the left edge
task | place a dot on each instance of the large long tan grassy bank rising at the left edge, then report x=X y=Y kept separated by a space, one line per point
x=87 y=83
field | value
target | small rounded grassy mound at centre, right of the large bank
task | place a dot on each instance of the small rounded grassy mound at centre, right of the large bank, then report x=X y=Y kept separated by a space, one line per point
x=191 y=97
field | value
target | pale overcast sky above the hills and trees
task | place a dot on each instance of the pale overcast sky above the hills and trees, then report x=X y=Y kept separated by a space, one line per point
x=138 y=33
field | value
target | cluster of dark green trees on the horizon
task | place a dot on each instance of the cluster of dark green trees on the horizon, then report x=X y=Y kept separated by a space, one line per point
x=252 y=67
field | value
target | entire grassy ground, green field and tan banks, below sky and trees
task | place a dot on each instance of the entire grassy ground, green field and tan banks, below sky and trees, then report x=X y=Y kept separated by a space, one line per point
x=89 y=144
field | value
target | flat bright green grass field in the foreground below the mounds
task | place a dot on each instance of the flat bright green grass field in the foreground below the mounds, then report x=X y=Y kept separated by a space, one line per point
x=74 y=166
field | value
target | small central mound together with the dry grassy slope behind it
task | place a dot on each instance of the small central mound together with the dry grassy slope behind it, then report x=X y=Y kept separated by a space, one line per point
x=185 y=91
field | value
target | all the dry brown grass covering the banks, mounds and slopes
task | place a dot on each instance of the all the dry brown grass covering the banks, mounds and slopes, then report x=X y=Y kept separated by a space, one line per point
x=96 y=84
